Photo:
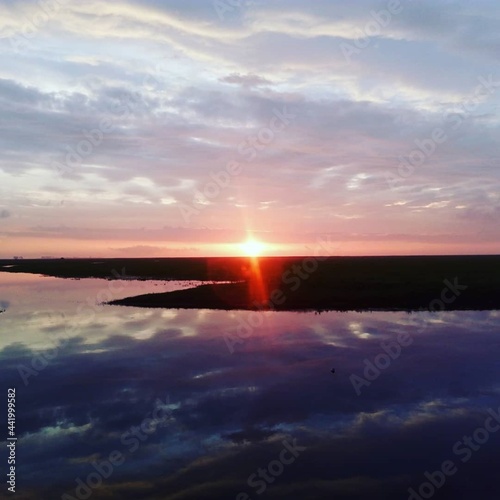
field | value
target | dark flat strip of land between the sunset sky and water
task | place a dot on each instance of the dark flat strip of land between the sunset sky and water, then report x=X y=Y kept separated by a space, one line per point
x=299 y=283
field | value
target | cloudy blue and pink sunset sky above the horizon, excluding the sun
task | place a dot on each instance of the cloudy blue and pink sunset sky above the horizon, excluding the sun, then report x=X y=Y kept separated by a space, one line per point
x=183 y=128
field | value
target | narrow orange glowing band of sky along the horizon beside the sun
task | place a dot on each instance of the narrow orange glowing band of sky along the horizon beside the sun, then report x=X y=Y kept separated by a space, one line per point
x=34 y=247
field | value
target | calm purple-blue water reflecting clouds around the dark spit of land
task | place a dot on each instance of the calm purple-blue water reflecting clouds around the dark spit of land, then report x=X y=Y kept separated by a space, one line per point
x=198 y=404
